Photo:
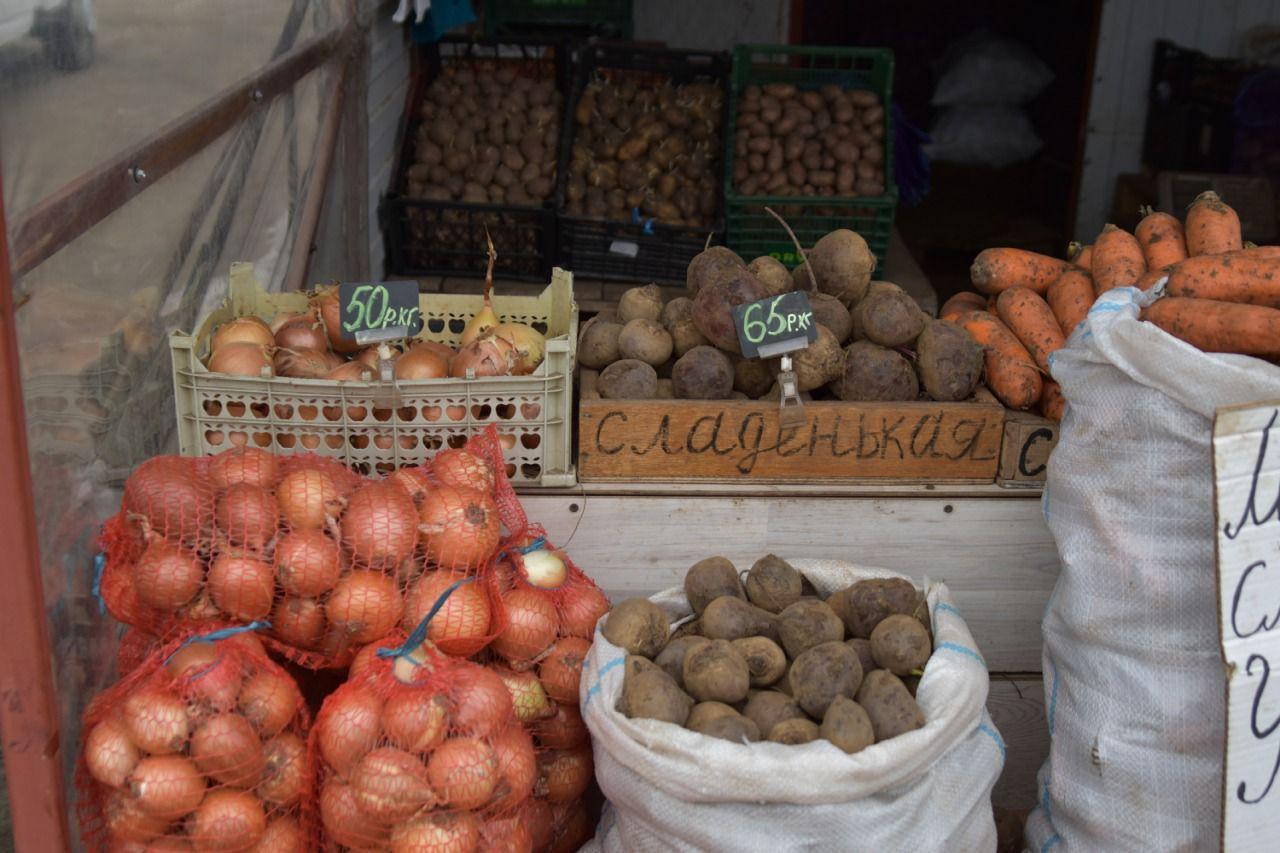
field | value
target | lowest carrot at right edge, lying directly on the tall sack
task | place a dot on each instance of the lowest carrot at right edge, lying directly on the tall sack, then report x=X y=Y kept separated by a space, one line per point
x=1219 y=327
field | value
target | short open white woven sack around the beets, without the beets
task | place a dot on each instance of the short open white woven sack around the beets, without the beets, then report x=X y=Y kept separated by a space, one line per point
x=674 y=790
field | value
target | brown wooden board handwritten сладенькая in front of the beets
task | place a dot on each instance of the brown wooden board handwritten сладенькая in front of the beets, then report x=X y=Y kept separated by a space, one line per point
x=743 y=440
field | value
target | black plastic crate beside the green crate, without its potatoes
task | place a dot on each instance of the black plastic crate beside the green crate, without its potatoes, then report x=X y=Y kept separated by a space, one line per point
x=642 y=250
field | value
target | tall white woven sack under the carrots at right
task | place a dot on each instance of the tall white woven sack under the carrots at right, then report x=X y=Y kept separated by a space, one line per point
x=1133 y=679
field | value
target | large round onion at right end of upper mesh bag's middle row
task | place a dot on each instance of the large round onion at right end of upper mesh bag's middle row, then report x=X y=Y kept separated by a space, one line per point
x=460 y=527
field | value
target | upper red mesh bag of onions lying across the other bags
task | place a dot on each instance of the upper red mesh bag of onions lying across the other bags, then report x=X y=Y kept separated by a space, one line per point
x=332 y=560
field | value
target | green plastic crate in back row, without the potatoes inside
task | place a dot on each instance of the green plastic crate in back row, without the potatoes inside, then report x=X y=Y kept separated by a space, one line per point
x=752 y=231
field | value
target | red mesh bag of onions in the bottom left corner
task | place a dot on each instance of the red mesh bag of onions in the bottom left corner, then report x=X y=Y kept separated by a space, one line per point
x=202 y=747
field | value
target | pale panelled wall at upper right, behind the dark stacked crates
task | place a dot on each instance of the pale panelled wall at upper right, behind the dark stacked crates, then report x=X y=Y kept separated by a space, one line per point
x=1118 y=110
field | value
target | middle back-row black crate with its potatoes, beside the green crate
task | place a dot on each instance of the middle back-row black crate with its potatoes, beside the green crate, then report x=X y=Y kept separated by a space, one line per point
x=639 y=189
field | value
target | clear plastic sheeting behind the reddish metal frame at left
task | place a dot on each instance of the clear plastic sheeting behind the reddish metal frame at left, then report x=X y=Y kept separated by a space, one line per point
x=93 y=321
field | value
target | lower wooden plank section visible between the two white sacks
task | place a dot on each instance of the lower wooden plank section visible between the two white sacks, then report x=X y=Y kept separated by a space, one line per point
x=1017 y=706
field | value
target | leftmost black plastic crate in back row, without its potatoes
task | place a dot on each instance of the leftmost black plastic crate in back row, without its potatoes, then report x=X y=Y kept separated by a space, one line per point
x=447 y=238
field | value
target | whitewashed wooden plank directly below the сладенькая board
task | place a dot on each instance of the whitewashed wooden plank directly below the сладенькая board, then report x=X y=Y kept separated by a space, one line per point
x=996 y=555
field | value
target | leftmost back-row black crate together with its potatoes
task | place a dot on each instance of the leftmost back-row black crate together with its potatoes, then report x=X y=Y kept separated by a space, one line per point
x=479 y=149
